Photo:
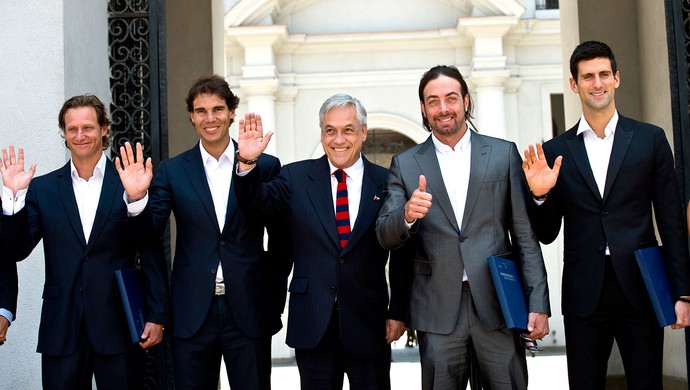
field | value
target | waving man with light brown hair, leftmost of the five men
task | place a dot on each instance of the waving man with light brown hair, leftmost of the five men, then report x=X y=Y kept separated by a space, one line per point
x=78 y=212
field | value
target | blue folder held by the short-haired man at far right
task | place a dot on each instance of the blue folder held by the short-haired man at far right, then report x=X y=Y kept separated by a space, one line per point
x=653 y=268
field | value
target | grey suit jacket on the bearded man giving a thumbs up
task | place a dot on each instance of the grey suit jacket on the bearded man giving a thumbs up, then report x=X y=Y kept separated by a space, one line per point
x=495 y=222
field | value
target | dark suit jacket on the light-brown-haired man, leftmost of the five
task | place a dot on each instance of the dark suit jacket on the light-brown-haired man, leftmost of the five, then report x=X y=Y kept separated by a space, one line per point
x=80 y=288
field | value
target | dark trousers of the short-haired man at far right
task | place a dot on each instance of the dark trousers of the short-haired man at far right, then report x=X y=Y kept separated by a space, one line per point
x=589 y=341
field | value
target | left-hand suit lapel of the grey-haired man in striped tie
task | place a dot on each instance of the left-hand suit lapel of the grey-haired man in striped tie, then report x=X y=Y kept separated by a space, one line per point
x=321 y=196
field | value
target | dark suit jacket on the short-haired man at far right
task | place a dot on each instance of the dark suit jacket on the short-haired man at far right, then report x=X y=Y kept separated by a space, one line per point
x=640 y=175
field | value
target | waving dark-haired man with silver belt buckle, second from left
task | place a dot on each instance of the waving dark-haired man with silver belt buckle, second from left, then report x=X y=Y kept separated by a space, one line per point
x=227 y=293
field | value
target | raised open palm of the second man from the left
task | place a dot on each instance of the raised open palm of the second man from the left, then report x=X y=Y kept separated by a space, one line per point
x=135 y=174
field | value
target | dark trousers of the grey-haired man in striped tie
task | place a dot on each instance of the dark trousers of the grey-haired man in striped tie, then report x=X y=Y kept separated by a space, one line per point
x=323 y=367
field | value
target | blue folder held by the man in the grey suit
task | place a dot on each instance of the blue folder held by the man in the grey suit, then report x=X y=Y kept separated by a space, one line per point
x=511 y=295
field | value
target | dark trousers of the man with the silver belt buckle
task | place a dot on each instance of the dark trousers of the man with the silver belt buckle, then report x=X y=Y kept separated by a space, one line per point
x=197 y=360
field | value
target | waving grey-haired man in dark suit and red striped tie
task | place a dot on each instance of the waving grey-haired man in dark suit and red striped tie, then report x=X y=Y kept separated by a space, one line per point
x=339 y=317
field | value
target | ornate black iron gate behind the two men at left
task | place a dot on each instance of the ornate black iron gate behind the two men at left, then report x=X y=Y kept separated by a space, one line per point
x=136 y=40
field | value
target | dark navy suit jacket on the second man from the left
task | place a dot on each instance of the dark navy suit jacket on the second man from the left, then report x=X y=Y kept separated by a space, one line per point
x=255 y=282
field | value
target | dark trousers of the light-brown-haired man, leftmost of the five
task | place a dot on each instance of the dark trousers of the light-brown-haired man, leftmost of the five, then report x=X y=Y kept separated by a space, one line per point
x=76 y=371
